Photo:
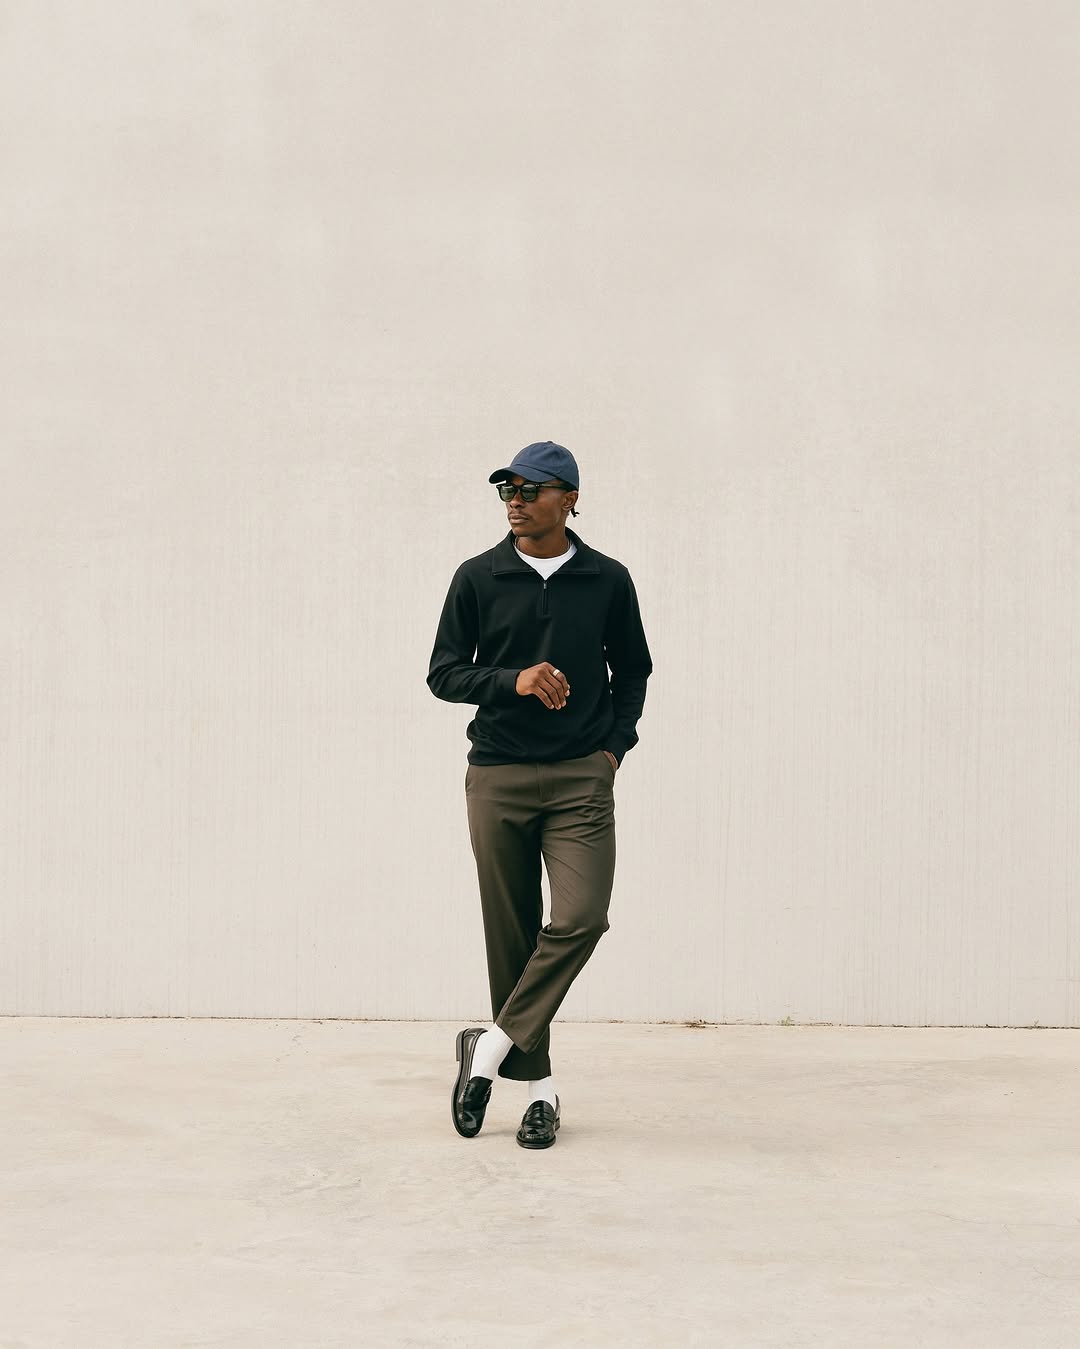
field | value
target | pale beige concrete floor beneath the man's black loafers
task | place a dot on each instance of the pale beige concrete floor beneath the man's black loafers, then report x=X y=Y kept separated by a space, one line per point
x=299 y=1184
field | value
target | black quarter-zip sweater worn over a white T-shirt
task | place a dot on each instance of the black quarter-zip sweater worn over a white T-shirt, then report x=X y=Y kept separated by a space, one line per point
x=501 y=617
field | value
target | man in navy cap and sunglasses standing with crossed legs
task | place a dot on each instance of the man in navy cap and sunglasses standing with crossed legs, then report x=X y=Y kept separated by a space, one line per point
x=529 y=632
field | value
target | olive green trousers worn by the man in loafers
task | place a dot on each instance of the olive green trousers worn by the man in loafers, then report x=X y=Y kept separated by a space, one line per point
x=563 y=813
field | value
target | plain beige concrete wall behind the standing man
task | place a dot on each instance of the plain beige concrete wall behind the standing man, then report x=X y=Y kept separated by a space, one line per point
x=799 y=284
